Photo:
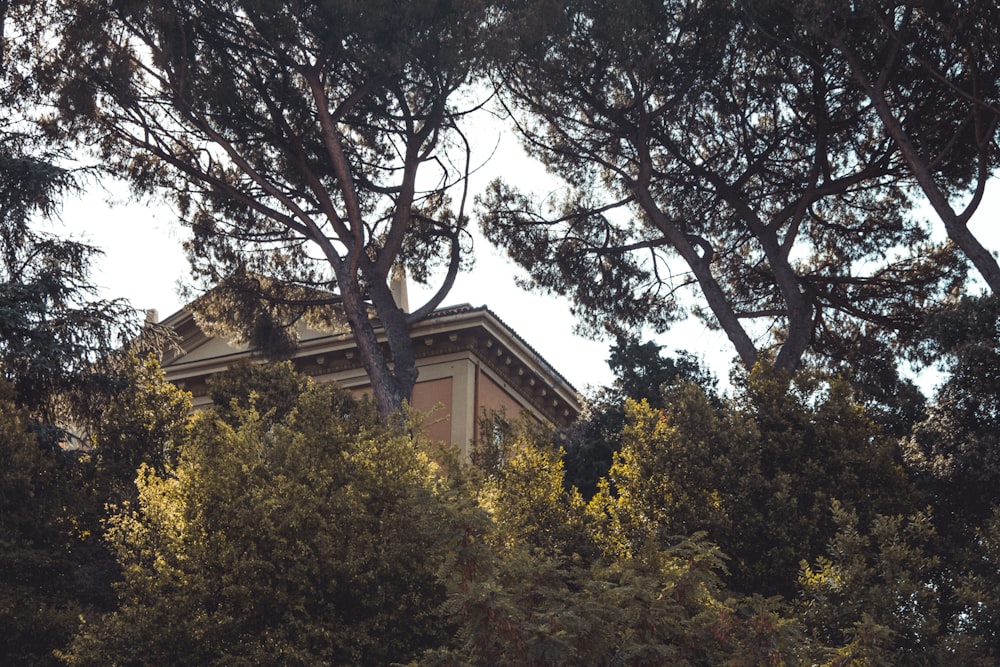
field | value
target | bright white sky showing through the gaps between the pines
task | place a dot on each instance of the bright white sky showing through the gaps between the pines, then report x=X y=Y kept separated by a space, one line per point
x=144 y=263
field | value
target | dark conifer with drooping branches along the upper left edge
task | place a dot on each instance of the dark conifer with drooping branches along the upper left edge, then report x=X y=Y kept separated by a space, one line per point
x=54 y=330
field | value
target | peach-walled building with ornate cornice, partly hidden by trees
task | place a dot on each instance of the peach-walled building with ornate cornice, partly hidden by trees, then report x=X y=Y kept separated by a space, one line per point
x=468 y=361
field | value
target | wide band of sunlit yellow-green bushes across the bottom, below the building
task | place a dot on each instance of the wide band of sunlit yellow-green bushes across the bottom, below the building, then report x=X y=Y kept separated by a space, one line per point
x=775 y=525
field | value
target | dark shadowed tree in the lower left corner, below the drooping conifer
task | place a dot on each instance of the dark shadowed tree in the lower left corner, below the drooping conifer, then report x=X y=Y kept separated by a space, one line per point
x=54 y=565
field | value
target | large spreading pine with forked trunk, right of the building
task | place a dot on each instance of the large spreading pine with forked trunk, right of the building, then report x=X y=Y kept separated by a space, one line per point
x=700 y=155
